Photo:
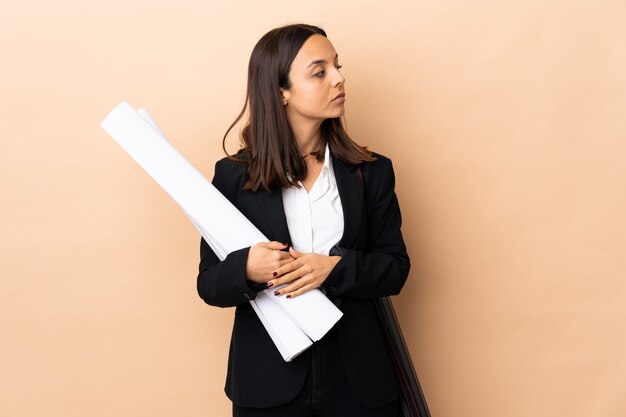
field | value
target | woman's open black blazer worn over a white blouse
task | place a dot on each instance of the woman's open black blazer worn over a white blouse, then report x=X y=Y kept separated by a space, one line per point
x=374 y=263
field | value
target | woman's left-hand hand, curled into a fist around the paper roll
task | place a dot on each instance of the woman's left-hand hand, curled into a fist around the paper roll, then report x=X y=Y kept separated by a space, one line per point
x=264 y=258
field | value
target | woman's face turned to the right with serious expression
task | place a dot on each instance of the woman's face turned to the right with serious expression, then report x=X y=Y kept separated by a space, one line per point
x=315 y=83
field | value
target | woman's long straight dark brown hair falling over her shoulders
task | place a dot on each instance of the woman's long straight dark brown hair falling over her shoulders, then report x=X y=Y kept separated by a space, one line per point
x=267 y=137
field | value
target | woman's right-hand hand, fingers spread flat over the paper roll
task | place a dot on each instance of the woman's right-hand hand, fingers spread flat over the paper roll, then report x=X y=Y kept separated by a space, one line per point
x=305 y=272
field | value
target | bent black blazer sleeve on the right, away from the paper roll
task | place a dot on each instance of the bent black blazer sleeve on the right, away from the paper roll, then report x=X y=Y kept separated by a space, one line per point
x=383 y=268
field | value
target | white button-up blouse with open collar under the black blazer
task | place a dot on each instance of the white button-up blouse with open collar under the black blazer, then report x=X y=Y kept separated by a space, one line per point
x=315 y=218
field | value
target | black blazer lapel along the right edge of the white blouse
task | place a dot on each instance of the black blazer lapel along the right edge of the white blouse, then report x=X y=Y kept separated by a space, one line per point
x=350 y=187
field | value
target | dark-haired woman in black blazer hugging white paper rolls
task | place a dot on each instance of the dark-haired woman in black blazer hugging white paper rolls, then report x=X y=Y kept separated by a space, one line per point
x=329 y=208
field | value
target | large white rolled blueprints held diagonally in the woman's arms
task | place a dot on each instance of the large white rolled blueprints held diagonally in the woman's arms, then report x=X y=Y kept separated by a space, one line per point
x=288 y=321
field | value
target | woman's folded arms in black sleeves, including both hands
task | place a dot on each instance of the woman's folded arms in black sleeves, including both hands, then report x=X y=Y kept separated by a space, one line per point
x=380 y=270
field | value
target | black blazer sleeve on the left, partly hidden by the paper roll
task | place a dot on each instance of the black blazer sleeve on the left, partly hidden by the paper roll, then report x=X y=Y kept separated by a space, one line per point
x=224 y=283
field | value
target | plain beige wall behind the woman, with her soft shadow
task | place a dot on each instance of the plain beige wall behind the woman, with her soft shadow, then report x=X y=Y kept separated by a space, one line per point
x=505 y=122
